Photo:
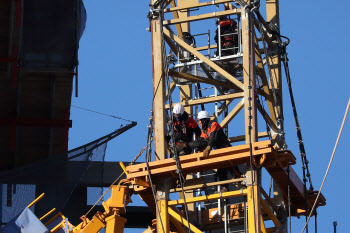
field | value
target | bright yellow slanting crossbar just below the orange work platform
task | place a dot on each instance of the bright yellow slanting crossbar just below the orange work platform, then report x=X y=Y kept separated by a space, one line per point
x=209 y=197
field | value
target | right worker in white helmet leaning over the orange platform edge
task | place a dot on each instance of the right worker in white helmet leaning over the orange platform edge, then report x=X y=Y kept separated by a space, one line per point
x=213 y=137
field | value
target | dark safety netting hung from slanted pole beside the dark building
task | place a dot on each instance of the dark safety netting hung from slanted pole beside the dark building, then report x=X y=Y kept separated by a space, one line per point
x=58 y=177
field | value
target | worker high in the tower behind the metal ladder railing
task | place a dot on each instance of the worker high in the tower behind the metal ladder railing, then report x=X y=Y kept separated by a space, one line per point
x=229 y=40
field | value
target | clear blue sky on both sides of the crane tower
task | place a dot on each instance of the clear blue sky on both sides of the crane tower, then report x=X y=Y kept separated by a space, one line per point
x=115 y=77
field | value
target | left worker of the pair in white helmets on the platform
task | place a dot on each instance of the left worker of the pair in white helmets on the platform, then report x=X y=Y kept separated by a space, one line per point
x=184 y=128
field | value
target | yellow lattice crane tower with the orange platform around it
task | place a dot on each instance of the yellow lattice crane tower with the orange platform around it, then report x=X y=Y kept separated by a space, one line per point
x=224 y=57
